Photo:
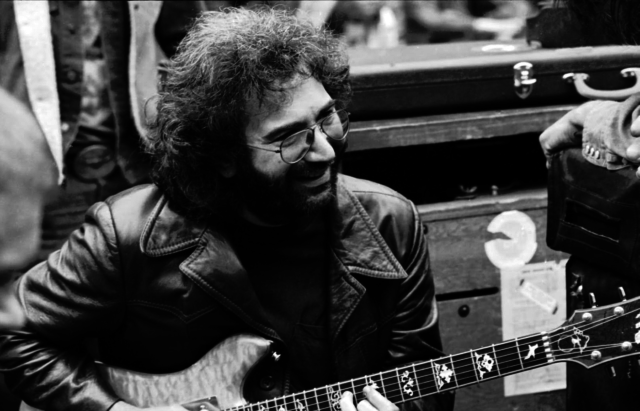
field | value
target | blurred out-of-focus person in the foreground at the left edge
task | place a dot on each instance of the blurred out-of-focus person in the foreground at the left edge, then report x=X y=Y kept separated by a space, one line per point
x=23 y=191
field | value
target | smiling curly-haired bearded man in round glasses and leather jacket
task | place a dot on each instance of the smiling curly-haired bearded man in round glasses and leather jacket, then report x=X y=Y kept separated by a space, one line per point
x=249 y=229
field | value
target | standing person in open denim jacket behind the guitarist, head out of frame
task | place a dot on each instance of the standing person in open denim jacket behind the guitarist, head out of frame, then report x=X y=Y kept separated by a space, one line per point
x=86 y=68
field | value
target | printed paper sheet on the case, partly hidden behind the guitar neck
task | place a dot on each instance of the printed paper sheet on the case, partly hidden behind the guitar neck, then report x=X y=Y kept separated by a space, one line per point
x=533 y=300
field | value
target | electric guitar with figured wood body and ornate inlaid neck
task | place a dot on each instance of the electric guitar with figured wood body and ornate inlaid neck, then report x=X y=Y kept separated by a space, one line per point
x=590 y=337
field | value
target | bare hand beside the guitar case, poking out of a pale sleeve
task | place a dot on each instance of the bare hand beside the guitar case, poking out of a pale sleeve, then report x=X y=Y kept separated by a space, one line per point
x=565 y=132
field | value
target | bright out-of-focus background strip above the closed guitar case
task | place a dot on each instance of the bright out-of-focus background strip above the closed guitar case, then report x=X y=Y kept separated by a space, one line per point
x=389 y=23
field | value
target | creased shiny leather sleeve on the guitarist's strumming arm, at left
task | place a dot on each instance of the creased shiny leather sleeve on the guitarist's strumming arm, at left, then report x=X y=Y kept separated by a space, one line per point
x=74 y=296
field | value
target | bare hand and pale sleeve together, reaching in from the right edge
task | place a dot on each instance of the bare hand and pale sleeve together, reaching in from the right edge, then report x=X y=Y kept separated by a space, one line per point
x=610 y=128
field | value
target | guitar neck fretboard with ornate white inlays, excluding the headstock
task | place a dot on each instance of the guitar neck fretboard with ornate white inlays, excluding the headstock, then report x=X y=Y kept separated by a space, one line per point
x=424 y=378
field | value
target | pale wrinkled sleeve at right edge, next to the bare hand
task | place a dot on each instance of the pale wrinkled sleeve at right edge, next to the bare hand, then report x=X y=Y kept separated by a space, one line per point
x=607 y=128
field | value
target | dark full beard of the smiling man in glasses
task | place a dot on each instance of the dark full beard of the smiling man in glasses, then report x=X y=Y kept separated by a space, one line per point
x=281 y=200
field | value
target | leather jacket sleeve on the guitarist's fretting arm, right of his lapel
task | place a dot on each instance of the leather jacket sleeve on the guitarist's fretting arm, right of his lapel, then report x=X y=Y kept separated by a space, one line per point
x=415 y=335
